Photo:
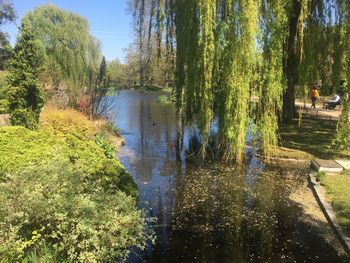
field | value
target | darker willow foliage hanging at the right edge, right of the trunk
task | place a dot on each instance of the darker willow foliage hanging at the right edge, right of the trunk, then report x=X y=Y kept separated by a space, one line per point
x=326 y=50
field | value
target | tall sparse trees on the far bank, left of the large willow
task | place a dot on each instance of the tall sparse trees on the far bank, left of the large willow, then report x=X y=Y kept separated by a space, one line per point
x=152 y=55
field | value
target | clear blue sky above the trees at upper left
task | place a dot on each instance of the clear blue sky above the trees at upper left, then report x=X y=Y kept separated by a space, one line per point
x=108 y=19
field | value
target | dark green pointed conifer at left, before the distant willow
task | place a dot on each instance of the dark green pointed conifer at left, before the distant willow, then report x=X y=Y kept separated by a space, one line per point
x=25 y=95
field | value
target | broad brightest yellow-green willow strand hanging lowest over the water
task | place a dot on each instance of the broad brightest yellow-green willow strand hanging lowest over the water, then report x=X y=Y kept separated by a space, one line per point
x=239 y=58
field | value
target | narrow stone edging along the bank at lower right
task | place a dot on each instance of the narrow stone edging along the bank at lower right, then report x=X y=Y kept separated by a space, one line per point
x=329 y=213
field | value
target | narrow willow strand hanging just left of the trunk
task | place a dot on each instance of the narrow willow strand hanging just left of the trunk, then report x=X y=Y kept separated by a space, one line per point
x=274 y=24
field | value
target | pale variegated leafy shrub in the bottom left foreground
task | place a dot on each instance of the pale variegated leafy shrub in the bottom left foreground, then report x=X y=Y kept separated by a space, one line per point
x=50 y=212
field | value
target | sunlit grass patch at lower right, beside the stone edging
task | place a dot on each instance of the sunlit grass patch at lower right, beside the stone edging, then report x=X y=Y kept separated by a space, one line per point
x=338 y=193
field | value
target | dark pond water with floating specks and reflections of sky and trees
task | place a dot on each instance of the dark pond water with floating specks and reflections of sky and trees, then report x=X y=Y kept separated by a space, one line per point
x=211 y=213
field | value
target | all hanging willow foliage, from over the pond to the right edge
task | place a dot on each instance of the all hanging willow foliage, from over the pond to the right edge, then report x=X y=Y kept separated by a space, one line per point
x=229 y=50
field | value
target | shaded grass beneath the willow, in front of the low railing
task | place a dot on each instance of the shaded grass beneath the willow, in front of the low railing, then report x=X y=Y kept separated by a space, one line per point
x=313 y=136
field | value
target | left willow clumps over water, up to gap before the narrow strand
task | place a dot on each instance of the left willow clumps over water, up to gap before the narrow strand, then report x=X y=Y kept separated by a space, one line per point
x=216 y=57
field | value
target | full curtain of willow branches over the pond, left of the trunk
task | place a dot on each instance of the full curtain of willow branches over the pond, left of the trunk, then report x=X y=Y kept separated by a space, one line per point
x=217 y=57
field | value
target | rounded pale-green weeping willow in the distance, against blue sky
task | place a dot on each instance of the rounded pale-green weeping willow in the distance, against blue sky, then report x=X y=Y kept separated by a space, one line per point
x=71 y=53
